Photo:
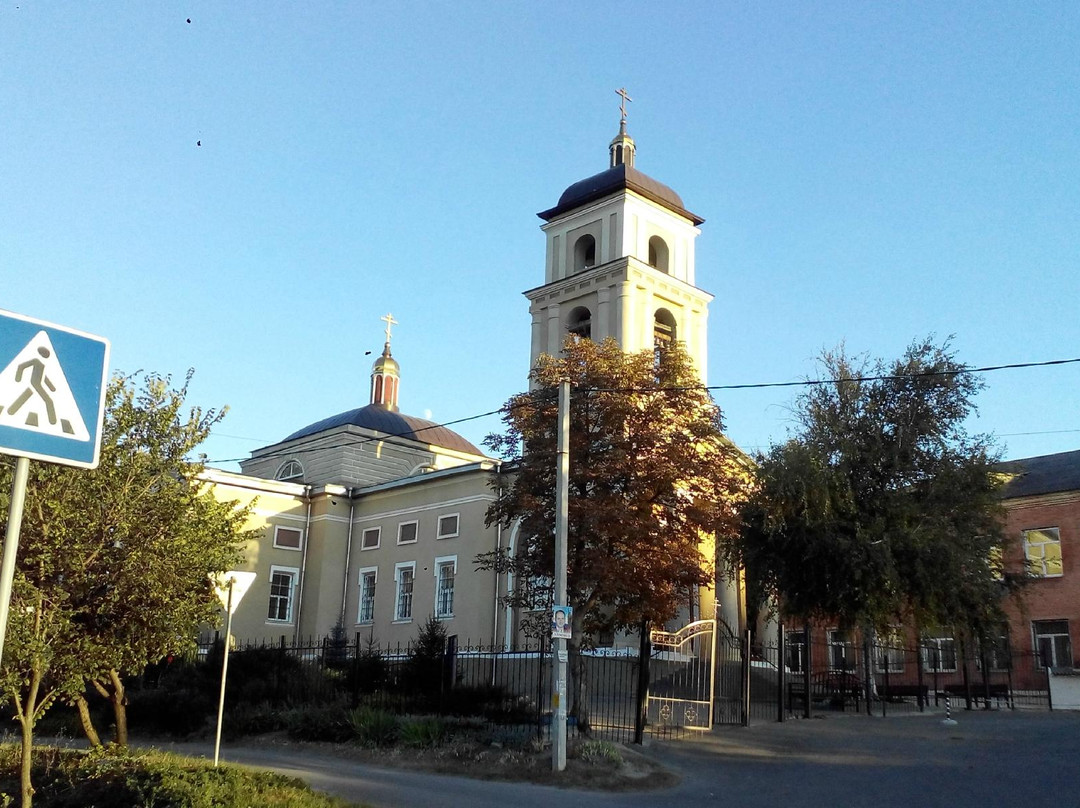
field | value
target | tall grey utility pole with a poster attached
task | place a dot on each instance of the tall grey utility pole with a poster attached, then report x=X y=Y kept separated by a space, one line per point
x=562 y=513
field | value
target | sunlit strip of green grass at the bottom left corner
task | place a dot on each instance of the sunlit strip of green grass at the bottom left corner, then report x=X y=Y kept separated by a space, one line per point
x=117 y=778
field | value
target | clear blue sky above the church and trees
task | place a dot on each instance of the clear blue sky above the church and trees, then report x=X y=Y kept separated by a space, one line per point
x=246 y=188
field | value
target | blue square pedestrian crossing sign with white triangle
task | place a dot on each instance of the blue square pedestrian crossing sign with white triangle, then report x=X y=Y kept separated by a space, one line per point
x=52 y=392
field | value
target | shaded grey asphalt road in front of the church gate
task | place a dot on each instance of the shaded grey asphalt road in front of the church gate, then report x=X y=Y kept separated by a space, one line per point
x=988 y=760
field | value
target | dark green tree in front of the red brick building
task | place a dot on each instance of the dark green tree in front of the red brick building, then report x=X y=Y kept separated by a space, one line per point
x=881 y=508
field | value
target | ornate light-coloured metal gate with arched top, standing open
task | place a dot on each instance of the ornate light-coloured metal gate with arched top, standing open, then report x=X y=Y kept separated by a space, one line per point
x=681 y=677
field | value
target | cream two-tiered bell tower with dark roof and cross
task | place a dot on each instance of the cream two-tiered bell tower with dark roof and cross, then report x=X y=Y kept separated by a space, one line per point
x=620 y=263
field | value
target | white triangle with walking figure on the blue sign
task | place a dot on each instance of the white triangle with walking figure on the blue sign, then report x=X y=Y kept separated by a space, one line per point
x=35 y=395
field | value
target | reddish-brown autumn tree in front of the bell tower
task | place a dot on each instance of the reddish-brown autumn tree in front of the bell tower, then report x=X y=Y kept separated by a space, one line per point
x=653 y=484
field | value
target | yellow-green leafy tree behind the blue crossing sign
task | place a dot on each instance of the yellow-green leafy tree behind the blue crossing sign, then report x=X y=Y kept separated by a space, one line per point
x=114 y=562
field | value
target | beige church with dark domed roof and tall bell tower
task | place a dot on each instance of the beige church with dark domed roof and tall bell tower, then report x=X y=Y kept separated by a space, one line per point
x=372 y=519
